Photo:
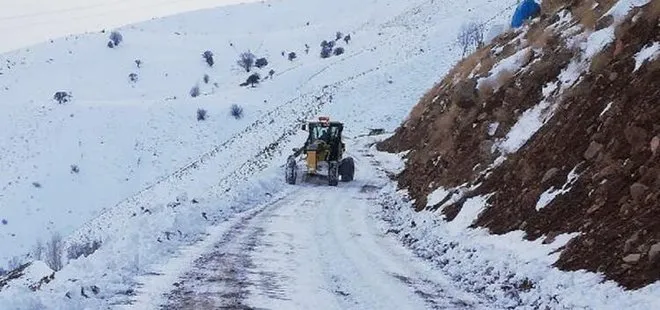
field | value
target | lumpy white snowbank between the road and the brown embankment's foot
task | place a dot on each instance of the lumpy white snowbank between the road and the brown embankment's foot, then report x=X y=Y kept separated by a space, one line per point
x=492 y=266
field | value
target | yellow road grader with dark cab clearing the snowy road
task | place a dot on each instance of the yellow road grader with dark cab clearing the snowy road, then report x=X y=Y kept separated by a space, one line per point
x=322 y=155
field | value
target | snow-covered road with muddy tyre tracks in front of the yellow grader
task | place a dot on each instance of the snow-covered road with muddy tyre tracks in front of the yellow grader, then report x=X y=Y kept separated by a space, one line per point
x=318 y=247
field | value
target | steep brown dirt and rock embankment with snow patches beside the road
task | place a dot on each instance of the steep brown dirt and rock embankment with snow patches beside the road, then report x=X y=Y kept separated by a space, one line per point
x=602 y=125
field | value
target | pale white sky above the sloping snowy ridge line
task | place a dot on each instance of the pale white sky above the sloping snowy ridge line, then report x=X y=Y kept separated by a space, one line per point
x=27 y=22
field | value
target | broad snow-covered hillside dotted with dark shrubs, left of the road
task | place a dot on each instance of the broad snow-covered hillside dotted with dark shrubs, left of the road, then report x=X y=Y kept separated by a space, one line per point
x=128 y=163
